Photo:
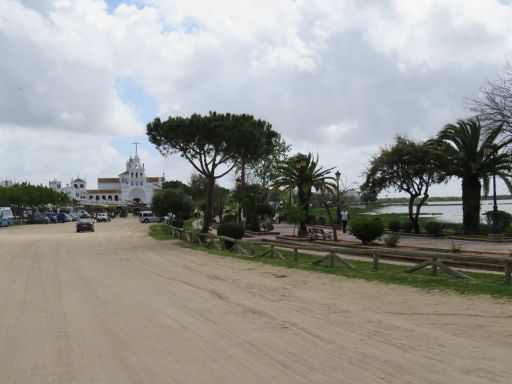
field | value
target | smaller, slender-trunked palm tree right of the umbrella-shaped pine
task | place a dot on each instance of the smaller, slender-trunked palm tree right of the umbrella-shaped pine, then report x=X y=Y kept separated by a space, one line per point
x=304 y=173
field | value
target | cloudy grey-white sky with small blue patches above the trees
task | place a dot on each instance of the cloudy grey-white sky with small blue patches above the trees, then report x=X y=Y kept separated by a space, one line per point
x=79 y=80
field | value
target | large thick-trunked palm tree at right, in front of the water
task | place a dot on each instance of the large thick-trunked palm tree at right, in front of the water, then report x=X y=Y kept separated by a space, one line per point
x=462 y=143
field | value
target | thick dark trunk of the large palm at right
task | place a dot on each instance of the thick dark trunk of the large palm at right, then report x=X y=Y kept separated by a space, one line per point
x=471 y=205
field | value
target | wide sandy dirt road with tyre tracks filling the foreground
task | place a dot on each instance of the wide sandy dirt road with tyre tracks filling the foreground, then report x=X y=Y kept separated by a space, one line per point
x=116 y=306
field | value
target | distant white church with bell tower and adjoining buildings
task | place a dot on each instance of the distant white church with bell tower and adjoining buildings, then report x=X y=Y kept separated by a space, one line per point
x=131 y=186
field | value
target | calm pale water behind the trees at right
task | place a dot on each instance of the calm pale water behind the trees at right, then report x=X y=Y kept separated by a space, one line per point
x=448 y=210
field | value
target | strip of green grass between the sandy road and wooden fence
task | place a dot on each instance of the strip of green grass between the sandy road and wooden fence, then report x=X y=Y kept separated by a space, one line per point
x=483 y=283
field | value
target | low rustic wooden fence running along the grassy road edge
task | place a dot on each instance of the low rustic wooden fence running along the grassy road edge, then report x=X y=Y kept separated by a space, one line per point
x=434 y=260
